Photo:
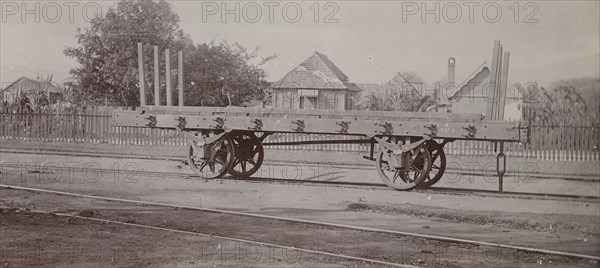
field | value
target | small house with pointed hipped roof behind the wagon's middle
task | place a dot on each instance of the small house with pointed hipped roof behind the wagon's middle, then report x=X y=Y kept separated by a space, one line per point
x=316 y=83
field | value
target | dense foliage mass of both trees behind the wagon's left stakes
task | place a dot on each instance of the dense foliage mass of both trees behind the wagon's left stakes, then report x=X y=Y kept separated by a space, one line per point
x=108 y=71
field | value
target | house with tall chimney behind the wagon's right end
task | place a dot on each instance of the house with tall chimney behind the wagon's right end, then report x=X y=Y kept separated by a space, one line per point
x=474 y=95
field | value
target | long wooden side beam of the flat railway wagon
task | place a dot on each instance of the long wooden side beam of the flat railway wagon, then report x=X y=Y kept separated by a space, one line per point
x=486 y=130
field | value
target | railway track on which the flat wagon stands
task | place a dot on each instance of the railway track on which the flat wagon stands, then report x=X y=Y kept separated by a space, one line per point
x=365 y=185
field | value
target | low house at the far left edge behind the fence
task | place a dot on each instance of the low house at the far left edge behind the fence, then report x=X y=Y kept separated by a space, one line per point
x=25 y=86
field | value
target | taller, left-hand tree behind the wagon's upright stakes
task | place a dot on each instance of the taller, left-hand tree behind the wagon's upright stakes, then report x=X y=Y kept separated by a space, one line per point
x=107 y=51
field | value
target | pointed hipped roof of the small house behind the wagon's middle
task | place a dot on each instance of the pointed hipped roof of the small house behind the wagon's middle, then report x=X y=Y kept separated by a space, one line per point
x=316 y=72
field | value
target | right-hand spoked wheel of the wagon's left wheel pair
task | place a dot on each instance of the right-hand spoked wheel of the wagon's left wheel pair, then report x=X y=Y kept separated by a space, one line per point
x=249 y=154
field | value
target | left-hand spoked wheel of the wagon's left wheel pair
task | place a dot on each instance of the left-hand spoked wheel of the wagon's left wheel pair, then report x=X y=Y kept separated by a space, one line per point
x=211 y=160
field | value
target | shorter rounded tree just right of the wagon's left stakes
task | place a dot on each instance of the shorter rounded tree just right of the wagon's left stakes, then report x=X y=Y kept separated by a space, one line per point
x=224 y=74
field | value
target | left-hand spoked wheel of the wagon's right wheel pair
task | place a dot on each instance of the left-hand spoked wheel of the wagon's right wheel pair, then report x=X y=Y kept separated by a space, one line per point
x=408 y=177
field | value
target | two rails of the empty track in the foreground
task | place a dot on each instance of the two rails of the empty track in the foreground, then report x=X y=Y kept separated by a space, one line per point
x=242 y=215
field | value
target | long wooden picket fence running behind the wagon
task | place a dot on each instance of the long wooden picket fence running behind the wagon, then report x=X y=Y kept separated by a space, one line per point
x=558 y=143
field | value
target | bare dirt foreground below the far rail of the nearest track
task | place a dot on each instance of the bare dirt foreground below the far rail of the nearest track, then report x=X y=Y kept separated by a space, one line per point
x=33 y=239
